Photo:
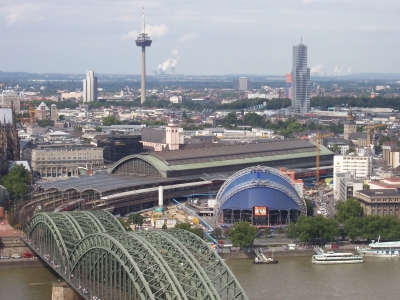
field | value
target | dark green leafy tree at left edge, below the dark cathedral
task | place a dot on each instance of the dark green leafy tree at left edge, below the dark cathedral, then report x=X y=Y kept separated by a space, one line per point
x=16 y=181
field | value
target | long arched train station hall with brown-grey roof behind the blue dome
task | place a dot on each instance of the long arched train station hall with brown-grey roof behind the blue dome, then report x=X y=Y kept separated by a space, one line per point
x=222 y=159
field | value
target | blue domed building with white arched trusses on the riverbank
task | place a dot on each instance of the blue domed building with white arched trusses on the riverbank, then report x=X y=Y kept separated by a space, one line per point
x=261 y=195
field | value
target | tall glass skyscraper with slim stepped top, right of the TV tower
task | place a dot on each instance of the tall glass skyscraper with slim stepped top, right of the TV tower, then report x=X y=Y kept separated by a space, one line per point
x=300 y=80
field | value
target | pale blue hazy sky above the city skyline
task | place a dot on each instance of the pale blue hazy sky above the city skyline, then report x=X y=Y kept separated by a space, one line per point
x=200 y=37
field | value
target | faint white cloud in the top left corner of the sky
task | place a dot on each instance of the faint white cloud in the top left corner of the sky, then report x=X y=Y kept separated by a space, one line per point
x=22 y=14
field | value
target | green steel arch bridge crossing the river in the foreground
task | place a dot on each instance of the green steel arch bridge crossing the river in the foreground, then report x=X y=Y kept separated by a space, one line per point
x=93 y=253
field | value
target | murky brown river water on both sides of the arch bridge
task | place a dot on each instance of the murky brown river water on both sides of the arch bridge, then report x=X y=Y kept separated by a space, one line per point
x=292 y=278
